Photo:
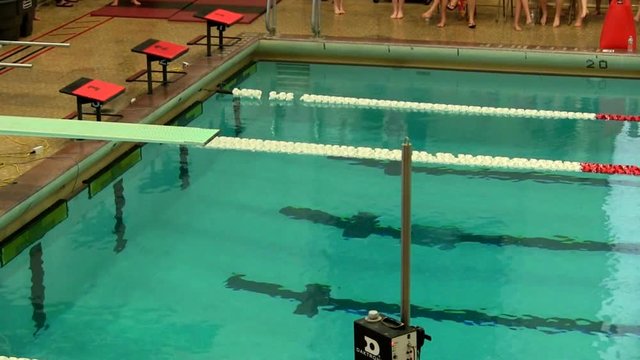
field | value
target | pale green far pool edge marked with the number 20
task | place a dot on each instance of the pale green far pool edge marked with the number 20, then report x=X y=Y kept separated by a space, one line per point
x=453 y=57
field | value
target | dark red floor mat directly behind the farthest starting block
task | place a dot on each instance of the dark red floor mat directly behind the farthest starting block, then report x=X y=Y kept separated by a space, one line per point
x=251 y=9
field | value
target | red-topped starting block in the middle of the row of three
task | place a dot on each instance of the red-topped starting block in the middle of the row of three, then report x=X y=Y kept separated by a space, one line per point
x=161 y=51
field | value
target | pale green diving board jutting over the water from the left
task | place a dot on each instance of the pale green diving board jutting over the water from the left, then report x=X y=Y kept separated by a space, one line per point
x=109 y=131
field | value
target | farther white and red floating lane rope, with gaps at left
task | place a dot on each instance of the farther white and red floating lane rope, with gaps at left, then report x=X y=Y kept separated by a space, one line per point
x=341 y=101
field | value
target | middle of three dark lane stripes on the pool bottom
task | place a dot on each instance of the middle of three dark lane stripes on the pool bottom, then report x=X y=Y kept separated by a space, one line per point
x=363 y=225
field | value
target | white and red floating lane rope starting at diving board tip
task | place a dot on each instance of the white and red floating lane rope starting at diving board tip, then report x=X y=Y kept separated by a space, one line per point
x=272 y=146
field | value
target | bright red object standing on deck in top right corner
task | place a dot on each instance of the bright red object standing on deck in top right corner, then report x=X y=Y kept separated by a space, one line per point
x=618 y=26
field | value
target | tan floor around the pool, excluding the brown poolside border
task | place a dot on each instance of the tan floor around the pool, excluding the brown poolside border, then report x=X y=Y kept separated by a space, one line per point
x=101 y=48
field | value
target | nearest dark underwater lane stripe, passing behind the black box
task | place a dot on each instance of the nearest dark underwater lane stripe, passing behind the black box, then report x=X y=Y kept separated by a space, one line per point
x=318 y=296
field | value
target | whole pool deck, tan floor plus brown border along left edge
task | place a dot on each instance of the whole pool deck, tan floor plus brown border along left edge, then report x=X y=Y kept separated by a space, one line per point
x=101 y=49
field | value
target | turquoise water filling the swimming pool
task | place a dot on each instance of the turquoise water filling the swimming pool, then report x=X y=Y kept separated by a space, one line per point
x=207 y=254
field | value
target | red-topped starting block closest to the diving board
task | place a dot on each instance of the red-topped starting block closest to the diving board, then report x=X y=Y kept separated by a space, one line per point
x=94 y=92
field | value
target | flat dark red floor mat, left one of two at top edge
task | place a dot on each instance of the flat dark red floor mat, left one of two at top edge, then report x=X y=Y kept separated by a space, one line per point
x=150 y=9
